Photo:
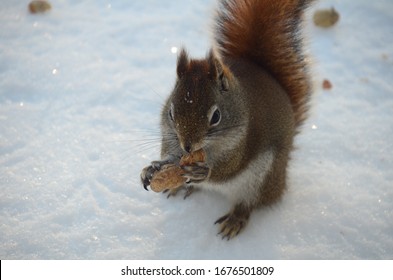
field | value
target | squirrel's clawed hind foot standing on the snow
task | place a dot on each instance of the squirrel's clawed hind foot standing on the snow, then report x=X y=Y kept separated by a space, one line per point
x=233 y=222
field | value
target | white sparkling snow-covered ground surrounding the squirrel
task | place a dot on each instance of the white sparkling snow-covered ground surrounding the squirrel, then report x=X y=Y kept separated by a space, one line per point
x=81 y=88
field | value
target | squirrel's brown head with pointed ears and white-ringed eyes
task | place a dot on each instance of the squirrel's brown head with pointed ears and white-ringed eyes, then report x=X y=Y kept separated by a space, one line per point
x=195 y=109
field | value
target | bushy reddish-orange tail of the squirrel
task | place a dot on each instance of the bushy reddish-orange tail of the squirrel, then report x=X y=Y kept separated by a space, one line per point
x=268 y=33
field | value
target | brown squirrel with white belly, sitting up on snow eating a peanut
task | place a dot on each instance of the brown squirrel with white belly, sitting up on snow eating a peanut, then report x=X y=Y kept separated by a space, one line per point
x=243 y=105
